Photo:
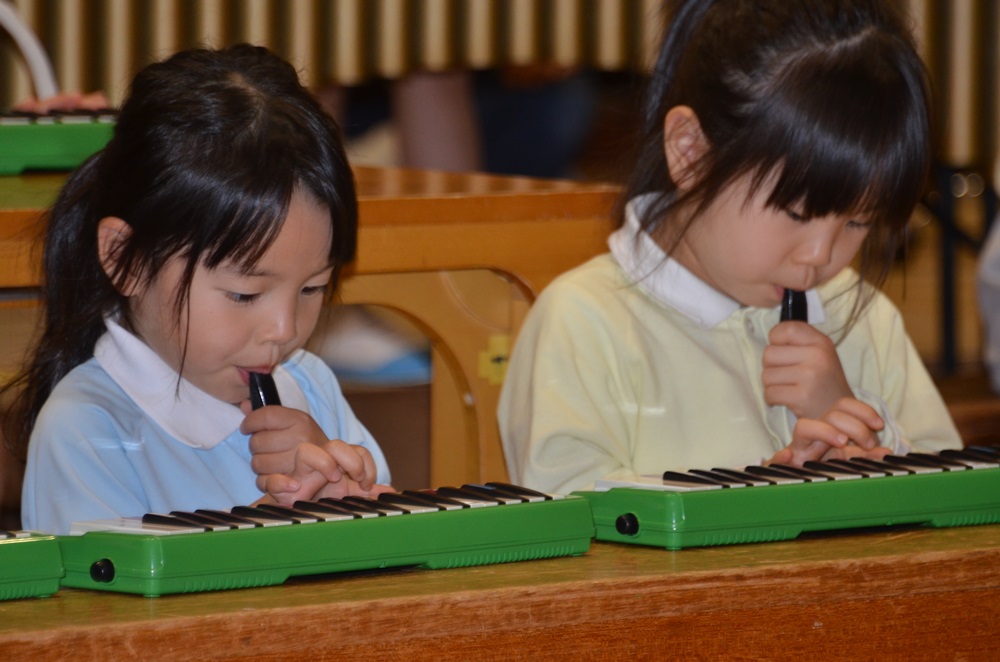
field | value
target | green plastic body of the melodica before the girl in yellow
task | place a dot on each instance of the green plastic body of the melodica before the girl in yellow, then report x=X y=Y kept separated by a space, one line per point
x=675 y=520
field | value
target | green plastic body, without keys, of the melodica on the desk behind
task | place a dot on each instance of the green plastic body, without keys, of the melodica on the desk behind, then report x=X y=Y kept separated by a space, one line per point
x=50 y=146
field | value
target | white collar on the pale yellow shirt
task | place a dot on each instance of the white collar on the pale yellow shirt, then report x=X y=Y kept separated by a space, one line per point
x=668 y=281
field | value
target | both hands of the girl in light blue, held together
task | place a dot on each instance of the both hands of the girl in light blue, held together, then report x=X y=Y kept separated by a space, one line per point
x=293 y=458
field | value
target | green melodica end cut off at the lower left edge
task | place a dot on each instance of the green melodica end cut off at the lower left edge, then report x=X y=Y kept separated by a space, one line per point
x=29 y=567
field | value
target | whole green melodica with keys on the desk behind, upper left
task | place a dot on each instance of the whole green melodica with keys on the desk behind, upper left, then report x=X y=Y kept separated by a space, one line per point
x=55 y=141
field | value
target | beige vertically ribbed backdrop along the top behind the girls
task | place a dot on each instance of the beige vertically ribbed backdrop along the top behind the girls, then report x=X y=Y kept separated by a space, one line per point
x=99 y=44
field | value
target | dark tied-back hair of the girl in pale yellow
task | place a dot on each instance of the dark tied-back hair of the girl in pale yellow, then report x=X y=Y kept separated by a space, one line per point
x=829 y=94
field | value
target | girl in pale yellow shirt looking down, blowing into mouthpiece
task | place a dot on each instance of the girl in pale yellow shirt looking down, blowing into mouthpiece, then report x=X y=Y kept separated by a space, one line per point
x=781 y=141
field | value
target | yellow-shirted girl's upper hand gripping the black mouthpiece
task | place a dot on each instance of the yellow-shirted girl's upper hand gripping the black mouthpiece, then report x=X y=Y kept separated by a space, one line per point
x=802 y=370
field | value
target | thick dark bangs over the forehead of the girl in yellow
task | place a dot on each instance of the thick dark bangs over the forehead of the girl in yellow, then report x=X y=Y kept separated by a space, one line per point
x=840 y=138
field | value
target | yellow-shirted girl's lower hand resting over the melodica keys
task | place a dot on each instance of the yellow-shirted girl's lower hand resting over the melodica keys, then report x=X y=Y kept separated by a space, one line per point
x=847 y=430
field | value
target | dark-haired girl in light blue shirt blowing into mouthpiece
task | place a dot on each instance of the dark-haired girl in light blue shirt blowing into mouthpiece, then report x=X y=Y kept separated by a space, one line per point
x=193 y=250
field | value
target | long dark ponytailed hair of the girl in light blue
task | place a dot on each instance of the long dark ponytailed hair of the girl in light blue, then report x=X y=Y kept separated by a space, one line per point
x=207 y=151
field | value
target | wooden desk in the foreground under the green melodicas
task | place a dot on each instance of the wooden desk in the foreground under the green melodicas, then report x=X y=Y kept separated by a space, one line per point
x=927 y=594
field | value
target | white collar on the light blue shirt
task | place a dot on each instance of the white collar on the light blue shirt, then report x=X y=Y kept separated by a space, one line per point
x=186 y=412
